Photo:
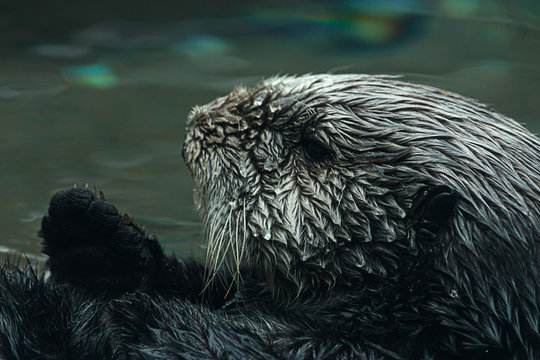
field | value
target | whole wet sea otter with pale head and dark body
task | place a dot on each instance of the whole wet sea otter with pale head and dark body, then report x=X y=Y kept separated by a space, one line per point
x=345 y=216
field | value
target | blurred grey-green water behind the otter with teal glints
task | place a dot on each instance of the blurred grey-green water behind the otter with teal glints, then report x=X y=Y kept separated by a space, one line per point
x=98 y=91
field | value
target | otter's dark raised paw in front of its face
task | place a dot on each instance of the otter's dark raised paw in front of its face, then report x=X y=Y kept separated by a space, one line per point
x=91 y=245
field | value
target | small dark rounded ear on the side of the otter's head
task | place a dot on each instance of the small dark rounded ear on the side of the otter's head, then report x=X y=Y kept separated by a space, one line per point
x=431 y=209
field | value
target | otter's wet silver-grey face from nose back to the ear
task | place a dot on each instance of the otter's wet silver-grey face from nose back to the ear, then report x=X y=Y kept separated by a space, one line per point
x=309 y=179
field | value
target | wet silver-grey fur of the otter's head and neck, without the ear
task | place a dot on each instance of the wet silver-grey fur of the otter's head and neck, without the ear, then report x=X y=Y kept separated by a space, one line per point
x=312 y=225
